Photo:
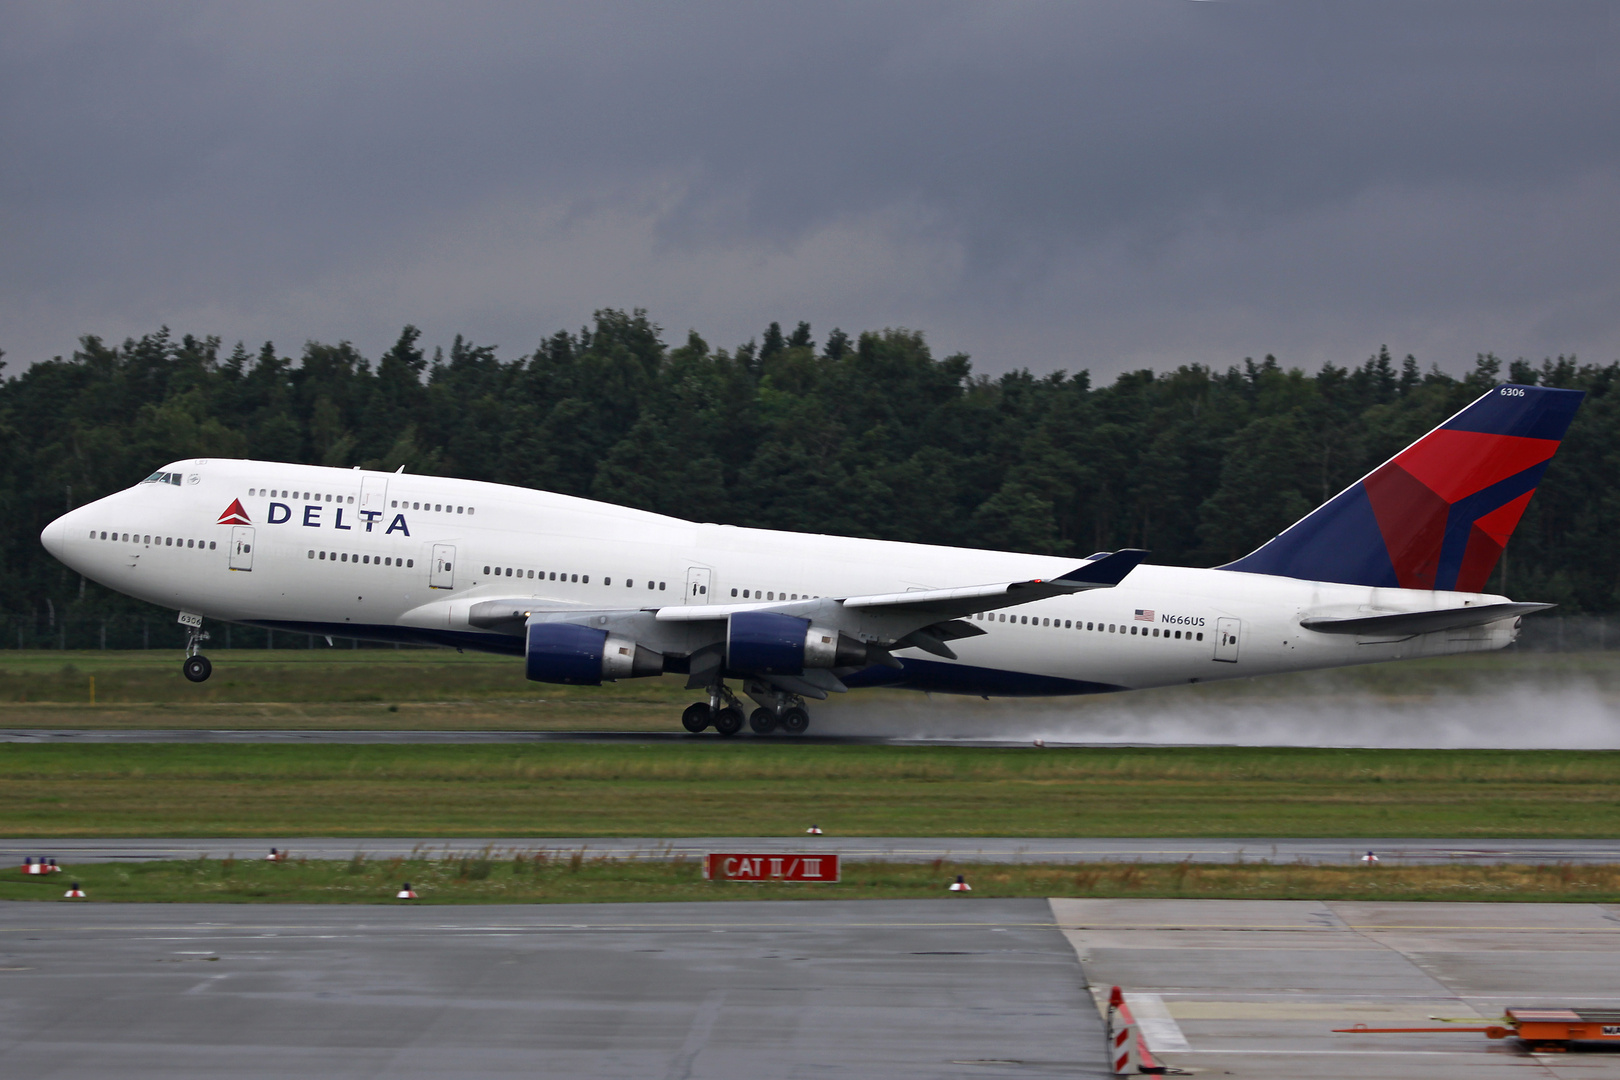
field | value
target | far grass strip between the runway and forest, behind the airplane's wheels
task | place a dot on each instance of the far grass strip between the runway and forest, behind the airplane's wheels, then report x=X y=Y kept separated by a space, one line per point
x=446 y=691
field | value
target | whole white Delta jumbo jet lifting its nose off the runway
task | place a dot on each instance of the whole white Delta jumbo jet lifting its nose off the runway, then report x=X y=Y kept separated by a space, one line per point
x=587 y=592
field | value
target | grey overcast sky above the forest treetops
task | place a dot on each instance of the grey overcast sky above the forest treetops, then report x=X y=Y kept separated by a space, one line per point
x=1046 y=185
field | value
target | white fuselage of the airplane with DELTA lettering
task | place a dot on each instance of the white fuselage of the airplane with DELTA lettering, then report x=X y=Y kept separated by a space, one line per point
x=406 y=558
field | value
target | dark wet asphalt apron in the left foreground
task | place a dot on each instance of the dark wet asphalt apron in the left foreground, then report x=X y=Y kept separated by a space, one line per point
x=926 y=989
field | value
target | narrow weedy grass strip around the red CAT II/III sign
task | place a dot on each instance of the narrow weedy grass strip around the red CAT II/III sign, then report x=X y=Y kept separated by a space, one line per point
x=571 y=878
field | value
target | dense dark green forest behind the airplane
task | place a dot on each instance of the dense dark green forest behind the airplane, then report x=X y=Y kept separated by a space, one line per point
x=868 y=435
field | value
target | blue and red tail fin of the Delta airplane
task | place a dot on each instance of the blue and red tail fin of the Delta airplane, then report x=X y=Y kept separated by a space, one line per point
x=1439 y=514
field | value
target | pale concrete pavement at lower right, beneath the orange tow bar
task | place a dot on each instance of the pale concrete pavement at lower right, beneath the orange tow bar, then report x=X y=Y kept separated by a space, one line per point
x=1255 y=989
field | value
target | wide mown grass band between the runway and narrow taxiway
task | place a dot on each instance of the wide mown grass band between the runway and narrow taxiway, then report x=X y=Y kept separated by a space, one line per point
x=712 y=788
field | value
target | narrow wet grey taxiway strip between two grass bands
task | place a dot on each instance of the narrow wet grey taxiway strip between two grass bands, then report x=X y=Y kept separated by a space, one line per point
x=1394 y=853
